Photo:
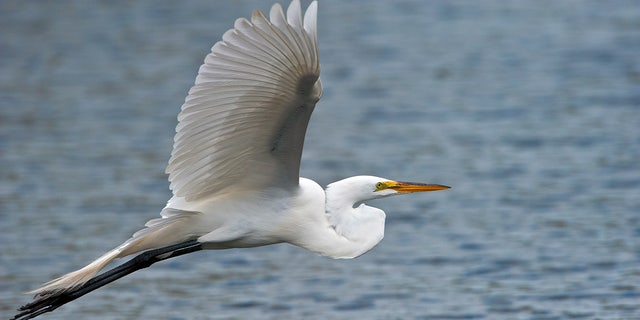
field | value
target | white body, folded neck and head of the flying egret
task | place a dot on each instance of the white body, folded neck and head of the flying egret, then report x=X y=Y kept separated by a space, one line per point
x=301 y=217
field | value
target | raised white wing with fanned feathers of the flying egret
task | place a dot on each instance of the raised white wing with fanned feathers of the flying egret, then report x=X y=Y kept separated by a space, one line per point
x=243 y=123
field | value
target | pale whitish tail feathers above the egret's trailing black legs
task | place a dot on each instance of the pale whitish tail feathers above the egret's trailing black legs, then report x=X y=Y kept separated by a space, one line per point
x=158 y=233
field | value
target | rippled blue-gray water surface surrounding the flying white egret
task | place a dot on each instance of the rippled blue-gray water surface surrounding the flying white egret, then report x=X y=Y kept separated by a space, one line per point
x=529 y=109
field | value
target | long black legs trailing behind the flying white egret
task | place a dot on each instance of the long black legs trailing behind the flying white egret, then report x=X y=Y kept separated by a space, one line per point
x=49 y=303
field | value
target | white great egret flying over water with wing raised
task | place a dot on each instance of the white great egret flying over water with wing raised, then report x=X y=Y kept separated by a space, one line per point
x=234 y=168
